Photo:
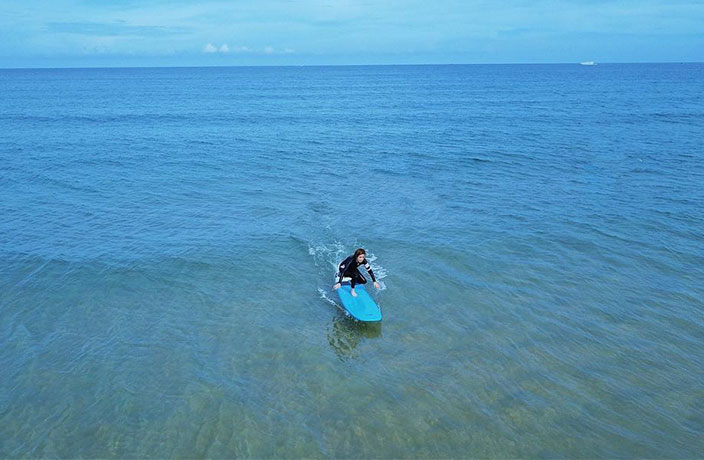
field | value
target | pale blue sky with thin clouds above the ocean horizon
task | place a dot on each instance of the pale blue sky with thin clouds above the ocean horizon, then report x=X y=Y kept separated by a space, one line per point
x=117 y=33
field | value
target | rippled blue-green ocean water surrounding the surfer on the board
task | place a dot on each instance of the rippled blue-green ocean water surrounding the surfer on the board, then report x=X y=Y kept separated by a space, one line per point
x=169 y=237
